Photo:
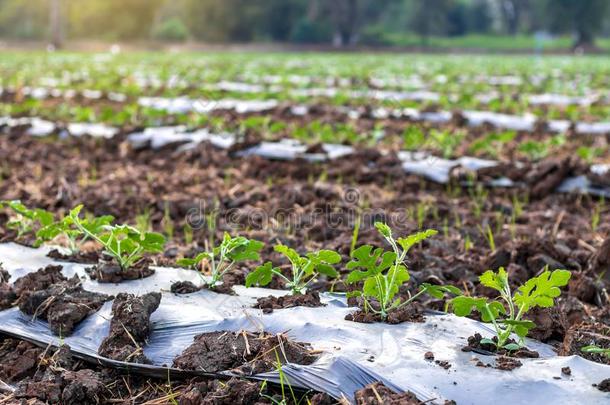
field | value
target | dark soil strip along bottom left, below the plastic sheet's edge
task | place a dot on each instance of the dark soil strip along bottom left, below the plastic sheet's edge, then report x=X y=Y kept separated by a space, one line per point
x=52 y=375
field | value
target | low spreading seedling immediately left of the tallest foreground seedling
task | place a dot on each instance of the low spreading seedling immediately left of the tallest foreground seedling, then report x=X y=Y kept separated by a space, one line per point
x=305 y=269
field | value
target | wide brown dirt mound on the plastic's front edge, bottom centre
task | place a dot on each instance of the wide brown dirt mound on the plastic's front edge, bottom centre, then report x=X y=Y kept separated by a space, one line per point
x=243 y=352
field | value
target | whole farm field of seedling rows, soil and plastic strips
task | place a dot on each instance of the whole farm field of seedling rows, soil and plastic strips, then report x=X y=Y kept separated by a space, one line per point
x=292 y=228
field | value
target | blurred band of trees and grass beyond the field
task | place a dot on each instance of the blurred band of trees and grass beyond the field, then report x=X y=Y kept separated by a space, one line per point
x=487 y=25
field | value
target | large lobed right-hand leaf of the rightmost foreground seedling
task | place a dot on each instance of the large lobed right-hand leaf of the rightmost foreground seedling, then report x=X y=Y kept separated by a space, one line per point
x=541 y=291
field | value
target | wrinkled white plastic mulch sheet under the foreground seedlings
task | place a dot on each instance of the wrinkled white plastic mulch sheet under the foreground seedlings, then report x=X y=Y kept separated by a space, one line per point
x=354 y=354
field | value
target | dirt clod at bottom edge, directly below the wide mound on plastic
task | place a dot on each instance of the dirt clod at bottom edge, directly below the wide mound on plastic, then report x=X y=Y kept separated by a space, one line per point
x=234 y=391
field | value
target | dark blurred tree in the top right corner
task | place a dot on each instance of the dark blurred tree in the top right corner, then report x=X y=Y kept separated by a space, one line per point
x=583 y=17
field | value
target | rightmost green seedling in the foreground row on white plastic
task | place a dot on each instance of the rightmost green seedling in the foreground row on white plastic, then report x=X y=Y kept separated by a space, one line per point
x=539 y=291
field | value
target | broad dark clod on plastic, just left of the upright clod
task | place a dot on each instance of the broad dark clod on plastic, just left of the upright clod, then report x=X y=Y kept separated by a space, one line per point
x=63 y=305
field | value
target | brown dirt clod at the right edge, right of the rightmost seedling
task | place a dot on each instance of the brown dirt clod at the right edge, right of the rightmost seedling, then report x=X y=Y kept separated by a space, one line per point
x=586 y=334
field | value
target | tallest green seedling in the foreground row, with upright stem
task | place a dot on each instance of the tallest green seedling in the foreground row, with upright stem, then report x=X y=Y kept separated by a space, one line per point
x=383 y=272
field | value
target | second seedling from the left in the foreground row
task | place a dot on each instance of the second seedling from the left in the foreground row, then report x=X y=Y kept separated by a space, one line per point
x=124 y=243
